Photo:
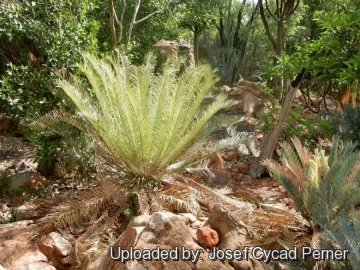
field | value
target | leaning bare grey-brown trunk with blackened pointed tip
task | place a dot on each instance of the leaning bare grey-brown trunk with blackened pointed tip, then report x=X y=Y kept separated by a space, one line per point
x=268 y=143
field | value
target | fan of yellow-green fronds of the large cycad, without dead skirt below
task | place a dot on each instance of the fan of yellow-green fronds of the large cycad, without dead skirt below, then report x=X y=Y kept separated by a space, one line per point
x=145 y=122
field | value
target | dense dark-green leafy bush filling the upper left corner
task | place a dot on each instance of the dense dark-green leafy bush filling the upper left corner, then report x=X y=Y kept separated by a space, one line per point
x=38 y=37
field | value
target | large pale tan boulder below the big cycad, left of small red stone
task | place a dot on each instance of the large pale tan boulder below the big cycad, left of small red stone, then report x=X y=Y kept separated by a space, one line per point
x=163 y=231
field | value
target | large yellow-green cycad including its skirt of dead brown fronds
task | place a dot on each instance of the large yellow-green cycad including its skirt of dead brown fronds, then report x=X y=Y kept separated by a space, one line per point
x=147 y=126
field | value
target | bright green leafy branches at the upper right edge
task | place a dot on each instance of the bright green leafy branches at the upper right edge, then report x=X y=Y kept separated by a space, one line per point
x=332 y=60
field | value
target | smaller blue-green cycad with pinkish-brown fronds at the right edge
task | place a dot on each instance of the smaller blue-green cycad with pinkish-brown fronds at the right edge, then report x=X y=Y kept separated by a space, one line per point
x=324 y=188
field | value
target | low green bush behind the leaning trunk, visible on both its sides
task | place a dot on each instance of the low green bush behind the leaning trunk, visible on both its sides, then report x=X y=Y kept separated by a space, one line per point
x=296 y=125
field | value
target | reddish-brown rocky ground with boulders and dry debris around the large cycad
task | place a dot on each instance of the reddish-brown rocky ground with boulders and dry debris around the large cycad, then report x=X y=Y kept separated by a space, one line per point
x=270 y=219
